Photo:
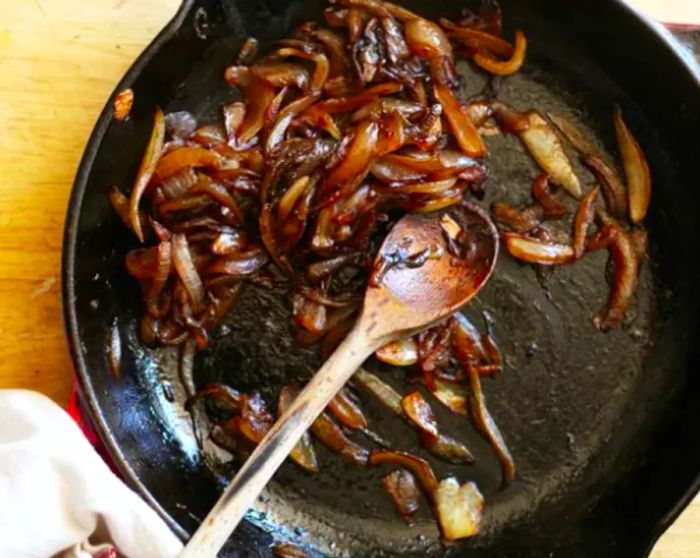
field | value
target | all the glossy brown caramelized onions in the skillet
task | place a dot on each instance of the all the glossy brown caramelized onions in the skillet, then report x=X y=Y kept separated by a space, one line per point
x=341 y=130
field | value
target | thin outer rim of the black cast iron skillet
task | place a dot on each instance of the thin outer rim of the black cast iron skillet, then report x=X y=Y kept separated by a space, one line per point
x=665 y=40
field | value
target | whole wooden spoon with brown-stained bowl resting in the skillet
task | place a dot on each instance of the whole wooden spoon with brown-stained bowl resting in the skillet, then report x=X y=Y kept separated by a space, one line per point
x=404 y=301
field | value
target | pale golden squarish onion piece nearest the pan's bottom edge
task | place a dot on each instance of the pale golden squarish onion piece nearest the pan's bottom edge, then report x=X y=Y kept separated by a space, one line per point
x=458 y=508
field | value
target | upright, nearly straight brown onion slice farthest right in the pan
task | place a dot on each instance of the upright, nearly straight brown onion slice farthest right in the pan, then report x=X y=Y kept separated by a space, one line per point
x=636 y=169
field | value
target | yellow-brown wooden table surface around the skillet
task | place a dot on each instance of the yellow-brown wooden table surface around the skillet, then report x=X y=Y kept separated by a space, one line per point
x=59 y=61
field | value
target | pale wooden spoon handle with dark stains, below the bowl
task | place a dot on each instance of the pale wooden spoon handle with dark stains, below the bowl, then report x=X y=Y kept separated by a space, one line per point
x=255 y=473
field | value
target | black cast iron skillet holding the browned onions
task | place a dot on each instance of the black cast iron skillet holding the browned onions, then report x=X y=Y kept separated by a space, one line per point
x=603 y=427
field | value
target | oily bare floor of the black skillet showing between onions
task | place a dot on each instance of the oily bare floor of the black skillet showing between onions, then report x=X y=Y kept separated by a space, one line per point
x=563 y=390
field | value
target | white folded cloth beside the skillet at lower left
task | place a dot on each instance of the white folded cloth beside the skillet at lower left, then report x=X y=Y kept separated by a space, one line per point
x=58 y=498
